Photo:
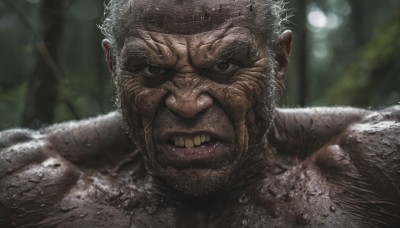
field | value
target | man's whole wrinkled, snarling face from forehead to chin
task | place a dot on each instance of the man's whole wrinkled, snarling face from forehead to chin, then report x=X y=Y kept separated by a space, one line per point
x=196 y=87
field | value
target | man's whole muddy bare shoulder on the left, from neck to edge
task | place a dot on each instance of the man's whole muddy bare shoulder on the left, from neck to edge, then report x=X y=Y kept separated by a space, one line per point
x=47 y=176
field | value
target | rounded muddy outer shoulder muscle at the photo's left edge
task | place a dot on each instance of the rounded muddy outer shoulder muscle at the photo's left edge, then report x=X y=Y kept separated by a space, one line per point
x=32 y=176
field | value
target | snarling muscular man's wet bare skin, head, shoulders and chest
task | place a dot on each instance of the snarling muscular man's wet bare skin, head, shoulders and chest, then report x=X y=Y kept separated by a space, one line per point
x=194 y=99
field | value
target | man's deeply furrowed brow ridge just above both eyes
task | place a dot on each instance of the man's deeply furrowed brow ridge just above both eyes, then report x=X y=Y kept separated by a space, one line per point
x=186 y=50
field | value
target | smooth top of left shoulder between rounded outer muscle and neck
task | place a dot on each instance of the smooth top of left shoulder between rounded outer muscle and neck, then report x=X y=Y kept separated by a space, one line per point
x=91 y=142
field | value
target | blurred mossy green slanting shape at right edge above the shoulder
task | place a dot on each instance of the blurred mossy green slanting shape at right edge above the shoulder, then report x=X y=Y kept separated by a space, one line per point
x=374 y=78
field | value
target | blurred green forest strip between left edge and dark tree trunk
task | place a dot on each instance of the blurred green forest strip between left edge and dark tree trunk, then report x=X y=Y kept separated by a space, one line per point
x=17 y=23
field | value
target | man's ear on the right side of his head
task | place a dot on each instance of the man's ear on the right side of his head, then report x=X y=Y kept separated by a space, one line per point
x=282 y=52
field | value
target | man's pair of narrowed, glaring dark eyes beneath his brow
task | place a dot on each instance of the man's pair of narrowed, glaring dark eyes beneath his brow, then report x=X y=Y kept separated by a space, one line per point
x=221 y=68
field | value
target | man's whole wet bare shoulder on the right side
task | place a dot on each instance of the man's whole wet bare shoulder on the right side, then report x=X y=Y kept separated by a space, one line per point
x=356 y=151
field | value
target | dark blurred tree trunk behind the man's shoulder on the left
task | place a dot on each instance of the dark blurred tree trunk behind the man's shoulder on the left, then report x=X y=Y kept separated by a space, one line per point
x=43 y=87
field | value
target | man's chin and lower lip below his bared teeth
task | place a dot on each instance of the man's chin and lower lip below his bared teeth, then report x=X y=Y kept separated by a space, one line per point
x=198 y=170
